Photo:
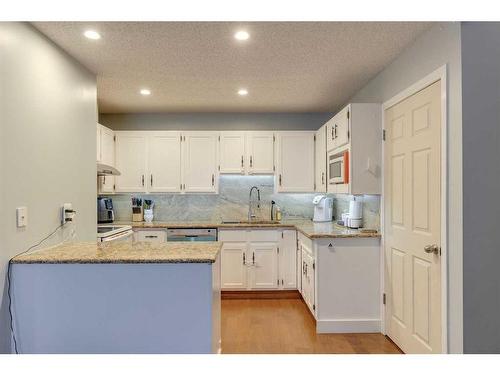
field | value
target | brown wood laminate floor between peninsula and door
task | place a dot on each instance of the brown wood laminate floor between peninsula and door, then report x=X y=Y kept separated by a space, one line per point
x=286 y=326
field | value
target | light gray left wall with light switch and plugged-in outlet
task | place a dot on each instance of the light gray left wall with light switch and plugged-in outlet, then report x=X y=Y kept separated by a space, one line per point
x=48 y=112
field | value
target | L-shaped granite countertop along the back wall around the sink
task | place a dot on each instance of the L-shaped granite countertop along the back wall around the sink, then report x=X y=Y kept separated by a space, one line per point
x=307 y=227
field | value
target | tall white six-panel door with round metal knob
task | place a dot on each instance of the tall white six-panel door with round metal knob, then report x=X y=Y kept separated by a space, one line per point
x=413 y=221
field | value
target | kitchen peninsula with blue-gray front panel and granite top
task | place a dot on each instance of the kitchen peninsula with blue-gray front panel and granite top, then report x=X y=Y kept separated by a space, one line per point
x=118 y=297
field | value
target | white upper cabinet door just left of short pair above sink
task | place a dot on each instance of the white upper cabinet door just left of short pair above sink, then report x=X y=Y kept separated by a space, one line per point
x=200 y=162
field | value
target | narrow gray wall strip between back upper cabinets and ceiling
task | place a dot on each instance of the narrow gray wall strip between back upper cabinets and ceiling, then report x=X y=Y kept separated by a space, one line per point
x=215 y=121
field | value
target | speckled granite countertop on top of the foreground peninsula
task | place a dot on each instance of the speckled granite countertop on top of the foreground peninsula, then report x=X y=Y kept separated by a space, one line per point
x=124 y=252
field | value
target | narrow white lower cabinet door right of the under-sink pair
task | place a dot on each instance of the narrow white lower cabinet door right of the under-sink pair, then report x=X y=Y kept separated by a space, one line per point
x=288 y=260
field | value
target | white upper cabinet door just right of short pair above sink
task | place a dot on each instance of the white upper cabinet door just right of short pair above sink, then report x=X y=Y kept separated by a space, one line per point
x=295 y=162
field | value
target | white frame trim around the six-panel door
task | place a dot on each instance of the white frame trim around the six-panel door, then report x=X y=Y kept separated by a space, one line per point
x=439 y=74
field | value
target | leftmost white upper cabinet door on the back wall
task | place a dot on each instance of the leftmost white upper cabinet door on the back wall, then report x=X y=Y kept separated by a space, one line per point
x=130 y=153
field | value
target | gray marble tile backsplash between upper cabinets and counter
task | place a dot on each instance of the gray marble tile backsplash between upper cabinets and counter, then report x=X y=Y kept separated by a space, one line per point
x=232 y=203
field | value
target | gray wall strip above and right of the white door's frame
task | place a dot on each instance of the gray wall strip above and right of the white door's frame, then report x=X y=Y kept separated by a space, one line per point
x=438 y=46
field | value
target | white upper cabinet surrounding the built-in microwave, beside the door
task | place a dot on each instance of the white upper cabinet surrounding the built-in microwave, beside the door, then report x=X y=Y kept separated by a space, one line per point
x=359 y=134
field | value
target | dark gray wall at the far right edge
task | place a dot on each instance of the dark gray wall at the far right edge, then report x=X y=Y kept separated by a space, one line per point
x=481 y=165
